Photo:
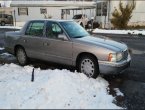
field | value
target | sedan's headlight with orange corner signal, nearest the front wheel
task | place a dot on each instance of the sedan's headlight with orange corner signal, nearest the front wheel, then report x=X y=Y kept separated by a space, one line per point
x=115 y=57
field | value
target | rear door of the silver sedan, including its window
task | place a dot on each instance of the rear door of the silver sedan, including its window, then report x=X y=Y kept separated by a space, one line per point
x=33 y=39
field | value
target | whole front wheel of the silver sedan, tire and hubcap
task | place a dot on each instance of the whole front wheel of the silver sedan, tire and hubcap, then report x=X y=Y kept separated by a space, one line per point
x=89 y=66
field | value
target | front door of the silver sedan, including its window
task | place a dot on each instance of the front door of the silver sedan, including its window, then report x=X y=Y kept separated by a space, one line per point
x=57 y=49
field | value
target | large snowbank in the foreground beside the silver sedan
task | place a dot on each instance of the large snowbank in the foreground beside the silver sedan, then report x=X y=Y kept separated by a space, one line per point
x=51 y=89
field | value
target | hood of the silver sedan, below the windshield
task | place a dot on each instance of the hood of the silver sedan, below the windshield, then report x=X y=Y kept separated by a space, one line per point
x=101 y=42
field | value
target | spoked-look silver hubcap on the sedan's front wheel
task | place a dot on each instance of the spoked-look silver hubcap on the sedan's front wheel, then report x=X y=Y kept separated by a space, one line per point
x=87 y=67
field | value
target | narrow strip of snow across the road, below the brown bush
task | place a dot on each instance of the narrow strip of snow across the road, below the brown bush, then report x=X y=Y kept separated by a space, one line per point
x=119 y=31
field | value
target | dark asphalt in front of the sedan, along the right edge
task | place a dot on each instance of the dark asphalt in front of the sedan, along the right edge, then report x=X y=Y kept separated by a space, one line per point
x=132 y=82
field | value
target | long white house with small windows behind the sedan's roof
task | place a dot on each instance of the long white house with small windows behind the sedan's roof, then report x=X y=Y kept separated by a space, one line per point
x=27 y=10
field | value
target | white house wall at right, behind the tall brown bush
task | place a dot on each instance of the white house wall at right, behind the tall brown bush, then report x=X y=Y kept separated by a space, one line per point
x=104 y=9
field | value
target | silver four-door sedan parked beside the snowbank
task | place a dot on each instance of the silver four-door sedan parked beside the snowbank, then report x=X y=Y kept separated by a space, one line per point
x=66 y=42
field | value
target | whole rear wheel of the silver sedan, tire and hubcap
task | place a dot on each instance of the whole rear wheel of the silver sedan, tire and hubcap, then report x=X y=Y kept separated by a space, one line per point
x=21 y=56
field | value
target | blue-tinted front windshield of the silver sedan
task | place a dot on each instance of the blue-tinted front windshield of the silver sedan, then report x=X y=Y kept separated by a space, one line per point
x=74 y=30
